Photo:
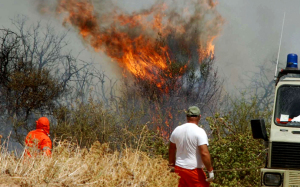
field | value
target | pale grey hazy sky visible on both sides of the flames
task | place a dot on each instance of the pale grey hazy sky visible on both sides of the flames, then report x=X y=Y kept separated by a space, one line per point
x=249 y=38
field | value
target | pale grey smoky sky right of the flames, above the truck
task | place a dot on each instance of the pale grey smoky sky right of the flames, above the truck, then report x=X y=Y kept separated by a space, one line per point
x=250 y=38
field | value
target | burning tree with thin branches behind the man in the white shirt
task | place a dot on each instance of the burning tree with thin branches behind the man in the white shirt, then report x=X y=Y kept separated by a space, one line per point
x=189 y=79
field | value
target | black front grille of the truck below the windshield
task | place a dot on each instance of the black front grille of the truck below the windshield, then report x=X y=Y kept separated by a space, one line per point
x=285 y=155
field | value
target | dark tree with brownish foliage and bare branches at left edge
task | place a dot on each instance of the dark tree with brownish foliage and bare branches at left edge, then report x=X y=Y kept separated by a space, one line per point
x=24 y=88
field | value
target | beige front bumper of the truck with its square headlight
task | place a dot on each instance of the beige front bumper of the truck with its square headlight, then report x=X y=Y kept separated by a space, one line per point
x=280 y=178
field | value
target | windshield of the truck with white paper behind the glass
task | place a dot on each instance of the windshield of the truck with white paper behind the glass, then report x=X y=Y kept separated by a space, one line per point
x=287 y=111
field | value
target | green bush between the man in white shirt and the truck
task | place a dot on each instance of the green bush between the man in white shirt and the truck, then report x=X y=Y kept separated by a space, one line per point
x=236 y=156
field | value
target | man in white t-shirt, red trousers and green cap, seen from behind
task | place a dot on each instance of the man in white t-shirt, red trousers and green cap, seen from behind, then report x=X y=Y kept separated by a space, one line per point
x=188 y=152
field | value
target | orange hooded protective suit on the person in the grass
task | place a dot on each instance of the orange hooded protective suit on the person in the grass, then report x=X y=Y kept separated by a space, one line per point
x=38 y=141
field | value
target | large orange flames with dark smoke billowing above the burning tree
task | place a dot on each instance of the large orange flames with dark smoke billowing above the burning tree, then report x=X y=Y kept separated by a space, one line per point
x=132 y=40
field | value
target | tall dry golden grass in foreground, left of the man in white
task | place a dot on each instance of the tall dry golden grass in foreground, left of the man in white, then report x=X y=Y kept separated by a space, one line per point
x=98 y=166
